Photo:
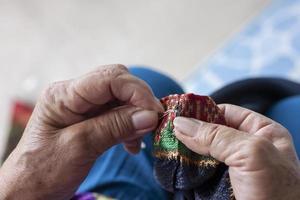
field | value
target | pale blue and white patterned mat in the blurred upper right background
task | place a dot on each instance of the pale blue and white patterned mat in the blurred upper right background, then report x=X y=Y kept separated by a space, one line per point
x=268 y=46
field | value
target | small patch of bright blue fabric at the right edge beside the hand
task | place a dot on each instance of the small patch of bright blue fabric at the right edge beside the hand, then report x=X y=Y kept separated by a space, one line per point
x=287 y=113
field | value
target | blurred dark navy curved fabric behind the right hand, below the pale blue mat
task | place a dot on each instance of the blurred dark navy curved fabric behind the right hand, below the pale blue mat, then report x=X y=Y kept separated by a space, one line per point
x=257 y=94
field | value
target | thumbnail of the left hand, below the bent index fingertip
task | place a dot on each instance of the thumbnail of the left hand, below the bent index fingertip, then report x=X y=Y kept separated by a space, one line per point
x=144 y=119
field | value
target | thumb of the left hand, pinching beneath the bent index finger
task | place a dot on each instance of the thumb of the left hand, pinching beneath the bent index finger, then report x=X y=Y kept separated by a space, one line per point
x=122 y=124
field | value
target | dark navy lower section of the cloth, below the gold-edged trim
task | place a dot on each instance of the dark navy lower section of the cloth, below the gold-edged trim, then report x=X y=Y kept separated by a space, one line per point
x=190 y=182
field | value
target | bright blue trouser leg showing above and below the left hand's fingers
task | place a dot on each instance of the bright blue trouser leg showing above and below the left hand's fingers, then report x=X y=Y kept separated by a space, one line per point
x=121 y=175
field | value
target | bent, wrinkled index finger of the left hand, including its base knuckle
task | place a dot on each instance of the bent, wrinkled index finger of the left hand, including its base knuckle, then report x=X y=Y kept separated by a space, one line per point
x=73 y=100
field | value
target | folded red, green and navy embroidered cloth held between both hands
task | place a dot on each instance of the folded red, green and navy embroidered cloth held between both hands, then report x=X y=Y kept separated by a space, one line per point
x=180 y=170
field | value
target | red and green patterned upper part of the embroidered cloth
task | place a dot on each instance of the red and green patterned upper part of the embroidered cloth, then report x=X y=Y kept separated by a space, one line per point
x=189 y=105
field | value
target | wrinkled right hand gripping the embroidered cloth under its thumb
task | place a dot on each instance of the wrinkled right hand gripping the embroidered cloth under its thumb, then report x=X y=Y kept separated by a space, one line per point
x=259 y=152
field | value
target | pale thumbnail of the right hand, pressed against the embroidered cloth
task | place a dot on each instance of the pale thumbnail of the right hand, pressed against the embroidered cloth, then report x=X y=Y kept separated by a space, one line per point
x=186 y=126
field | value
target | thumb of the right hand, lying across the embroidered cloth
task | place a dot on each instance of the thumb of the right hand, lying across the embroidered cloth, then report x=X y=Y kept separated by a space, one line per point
x=223 y=143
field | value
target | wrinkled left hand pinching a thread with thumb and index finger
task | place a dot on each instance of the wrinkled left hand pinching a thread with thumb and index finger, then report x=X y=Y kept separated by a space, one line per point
x=73 y=123
